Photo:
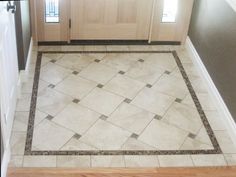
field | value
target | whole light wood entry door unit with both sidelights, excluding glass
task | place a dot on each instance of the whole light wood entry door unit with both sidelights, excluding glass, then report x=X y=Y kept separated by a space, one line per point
x=113 y=20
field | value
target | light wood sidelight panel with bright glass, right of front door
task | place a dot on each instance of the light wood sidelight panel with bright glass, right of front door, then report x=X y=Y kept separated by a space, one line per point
x=166 y=29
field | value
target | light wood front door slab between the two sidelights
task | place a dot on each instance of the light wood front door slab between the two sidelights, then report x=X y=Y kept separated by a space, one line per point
x=110 y=19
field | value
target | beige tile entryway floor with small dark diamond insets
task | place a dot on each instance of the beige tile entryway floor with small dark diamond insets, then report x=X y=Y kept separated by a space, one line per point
x=116 y=102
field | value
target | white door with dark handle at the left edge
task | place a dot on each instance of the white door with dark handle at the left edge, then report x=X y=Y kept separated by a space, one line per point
x=8 y=72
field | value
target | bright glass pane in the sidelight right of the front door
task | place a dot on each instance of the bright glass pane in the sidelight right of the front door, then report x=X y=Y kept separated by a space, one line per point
x=170 y=11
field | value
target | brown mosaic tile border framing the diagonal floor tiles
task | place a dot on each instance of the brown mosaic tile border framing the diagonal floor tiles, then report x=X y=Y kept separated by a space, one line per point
x=30 y=130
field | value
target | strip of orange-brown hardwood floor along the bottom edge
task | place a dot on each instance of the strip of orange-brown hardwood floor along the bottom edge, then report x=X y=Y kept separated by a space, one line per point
x=124 y=172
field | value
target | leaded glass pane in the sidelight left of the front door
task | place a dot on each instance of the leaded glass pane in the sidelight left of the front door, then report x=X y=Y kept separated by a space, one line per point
x=52 y=11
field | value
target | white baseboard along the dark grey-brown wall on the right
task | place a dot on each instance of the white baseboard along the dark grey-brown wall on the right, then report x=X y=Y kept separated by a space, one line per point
x=227 y=118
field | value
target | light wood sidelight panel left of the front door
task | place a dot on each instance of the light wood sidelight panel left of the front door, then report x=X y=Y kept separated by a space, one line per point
x=52 y=30
